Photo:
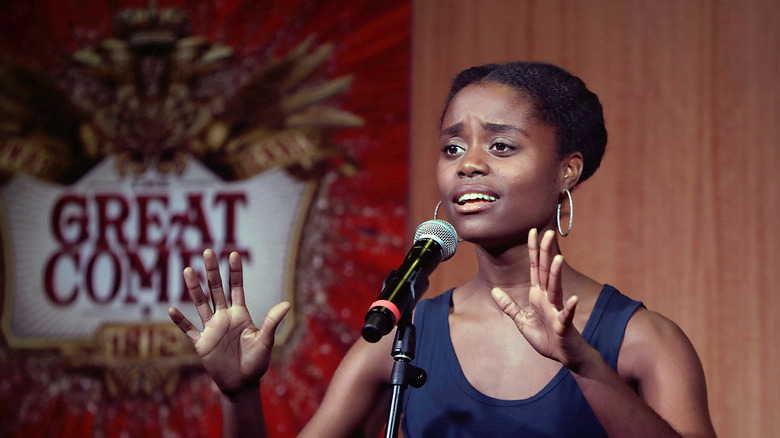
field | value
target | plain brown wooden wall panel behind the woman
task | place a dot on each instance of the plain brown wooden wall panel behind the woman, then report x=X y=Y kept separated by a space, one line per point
x=683 y=213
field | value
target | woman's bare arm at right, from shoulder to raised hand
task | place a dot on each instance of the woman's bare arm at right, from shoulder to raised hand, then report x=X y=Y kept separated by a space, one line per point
x=672 y=398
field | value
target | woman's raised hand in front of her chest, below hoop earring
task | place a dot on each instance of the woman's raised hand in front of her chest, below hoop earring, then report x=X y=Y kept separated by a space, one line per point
x=547 y=322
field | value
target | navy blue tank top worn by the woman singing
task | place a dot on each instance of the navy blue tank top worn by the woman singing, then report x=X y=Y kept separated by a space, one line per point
x=448 y=406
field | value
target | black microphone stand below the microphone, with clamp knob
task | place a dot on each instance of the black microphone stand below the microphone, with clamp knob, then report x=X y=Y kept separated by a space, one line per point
x=404 y=373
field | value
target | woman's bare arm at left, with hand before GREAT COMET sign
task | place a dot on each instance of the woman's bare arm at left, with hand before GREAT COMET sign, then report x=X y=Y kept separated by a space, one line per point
x=236 y=354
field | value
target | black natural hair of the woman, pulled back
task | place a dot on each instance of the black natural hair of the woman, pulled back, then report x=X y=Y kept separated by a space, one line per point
x=560 y=100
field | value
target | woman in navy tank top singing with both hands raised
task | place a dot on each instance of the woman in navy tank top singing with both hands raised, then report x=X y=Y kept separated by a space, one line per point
x=528 y=347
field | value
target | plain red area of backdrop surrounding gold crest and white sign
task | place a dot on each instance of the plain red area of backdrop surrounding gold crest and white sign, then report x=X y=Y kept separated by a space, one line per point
x=354 y=234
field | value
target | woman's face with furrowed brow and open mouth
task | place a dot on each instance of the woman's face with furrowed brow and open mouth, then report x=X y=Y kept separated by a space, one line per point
x=499 y=173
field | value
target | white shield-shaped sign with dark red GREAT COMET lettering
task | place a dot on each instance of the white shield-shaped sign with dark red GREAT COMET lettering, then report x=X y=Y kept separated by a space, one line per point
x=111 y=249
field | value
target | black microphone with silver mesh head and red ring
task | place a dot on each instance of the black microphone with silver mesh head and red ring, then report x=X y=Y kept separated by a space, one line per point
x=434 y=242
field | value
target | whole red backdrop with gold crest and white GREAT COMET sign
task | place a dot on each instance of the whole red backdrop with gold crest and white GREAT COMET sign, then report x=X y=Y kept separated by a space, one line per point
x=135 y=134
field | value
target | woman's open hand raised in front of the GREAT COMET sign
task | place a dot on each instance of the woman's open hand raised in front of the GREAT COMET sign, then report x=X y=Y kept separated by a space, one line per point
x=233 y=350
